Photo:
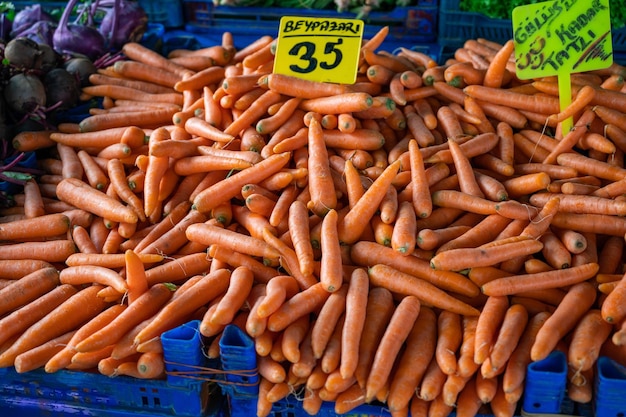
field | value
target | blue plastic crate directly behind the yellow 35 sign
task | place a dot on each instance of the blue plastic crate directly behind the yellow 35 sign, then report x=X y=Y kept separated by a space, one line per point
x=408 y=26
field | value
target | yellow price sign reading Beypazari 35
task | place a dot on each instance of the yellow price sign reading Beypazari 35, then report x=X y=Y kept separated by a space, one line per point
x=319 y=48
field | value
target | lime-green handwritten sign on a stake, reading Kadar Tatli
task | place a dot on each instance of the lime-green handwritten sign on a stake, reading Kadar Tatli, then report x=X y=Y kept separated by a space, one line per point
x=561 y=37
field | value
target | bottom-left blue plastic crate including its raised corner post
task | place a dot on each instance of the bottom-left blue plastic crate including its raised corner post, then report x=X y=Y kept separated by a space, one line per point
x=37 y=393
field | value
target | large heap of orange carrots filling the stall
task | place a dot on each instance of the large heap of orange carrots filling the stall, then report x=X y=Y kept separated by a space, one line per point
x=415 y=239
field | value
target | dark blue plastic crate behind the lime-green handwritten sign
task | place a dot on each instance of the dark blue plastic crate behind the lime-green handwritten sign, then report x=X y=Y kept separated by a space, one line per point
x=456 y=26
